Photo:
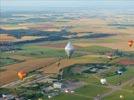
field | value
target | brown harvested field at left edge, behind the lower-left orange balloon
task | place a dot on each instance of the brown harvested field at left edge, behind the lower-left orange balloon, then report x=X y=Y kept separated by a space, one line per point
x=10 y=74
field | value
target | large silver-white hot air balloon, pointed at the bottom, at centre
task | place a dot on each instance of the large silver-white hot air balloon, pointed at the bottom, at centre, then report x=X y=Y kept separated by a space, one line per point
x=69 y=49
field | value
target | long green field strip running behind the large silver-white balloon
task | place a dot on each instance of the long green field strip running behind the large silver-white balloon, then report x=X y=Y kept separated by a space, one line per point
x=35 y=51
